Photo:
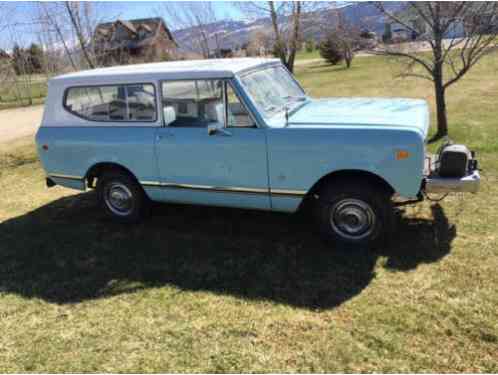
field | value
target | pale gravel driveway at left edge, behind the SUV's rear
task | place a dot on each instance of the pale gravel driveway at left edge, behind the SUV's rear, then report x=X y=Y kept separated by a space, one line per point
x=19 y=122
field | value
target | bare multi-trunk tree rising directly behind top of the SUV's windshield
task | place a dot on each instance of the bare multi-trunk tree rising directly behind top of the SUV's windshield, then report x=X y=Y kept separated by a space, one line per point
x=286 y=22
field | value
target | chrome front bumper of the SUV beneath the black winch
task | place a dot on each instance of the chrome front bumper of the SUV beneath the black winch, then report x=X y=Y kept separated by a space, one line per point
x=467 y=184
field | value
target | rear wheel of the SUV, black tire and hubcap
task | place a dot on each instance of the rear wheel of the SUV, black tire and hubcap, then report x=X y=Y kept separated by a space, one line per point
x=122 y=197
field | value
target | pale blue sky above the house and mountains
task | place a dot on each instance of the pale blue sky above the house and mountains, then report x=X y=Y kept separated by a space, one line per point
x=19 y=15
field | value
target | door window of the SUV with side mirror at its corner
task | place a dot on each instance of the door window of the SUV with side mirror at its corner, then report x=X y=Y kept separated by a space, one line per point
x=193 y=103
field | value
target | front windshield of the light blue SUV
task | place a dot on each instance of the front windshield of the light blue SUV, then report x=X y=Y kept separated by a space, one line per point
x=273 y=90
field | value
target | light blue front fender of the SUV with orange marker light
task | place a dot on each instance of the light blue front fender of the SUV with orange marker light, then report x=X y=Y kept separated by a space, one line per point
x=299 y=157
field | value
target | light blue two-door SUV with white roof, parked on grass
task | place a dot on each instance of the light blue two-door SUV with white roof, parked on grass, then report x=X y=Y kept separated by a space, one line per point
x=242 y=133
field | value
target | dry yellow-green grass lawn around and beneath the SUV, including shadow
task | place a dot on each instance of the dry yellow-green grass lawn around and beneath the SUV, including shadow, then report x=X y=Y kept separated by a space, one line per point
x=209 y=289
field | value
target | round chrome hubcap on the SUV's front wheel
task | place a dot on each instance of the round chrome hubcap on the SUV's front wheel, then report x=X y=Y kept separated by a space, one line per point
x=352 y=218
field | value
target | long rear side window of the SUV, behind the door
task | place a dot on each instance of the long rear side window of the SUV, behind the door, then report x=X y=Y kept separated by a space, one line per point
x=134 y=102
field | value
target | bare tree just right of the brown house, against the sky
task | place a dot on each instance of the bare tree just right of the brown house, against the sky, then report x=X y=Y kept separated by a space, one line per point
x=195 y=18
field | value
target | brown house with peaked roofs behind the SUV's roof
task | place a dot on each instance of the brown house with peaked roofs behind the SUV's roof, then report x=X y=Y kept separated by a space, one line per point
x=131 y=41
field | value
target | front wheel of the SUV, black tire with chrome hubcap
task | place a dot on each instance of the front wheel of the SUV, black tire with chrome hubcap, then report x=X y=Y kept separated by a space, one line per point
x=356 y=213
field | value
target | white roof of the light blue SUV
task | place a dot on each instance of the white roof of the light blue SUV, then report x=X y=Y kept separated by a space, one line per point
x=186 y=69
